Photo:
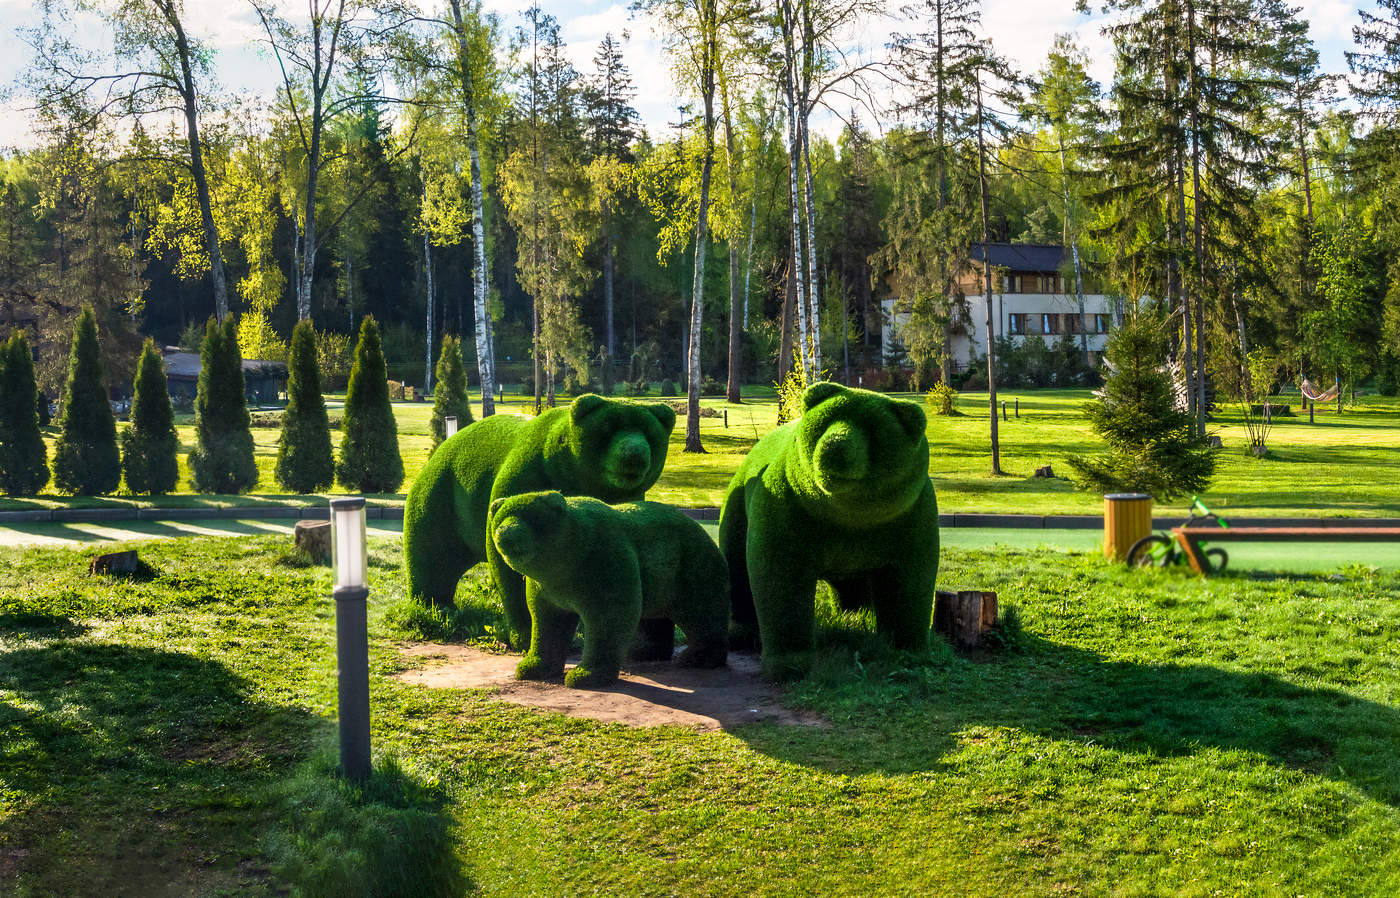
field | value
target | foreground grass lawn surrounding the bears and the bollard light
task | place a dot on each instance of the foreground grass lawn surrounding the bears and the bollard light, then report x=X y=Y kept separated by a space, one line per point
x=1142 y=733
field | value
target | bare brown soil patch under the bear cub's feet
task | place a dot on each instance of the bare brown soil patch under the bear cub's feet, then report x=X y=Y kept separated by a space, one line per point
x=647 y=696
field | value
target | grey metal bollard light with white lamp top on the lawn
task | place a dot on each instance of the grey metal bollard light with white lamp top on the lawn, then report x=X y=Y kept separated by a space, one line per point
x=352 y=593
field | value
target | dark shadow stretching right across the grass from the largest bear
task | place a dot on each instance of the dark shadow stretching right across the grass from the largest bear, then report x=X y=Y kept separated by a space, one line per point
x=1062 y=693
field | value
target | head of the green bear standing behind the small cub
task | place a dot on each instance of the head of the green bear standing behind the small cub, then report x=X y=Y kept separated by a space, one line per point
x=619 y=446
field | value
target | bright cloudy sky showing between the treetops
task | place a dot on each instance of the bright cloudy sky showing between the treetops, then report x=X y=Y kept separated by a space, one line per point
x=1023 y=30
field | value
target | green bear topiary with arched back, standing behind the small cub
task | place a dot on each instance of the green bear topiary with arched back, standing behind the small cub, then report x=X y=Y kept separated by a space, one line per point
x=607 y=449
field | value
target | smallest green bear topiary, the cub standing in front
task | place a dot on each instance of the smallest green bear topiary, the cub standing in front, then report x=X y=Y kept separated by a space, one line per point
x=611 y=567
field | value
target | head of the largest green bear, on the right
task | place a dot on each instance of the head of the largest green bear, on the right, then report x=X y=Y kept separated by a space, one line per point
x=863 y=456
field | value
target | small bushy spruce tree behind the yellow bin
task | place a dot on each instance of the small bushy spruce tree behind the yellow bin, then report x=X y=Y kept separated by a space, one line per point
x=1151 y=443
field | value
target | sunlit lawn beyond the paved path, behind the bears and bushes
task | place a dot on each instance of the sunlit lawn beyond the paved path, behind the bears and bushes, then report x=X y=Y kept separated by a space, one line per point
x=1345 y=466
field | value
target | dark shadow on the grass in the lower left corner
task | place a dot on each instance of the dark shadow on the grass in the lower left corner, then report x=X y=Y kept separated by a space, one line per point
x=148 y=773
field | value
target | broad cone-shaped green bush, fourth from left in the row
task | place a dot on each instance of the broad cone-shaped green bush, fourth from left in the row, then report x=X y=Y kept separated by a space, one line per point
x=223 y=457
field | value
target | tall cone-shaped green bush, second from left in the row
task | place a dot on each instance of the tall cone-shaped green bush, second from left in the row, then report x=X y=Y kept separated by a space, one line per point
x=85 y=457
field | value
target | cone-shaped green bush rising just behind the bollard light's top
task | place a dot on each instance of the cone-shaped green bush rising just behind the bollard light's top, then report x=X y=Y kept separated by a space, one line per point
x=370 y=460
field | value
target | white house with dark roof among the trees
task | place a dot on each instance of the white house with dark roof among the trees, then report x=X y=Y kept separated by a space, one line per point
x=1031 y=298
